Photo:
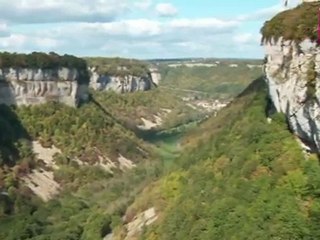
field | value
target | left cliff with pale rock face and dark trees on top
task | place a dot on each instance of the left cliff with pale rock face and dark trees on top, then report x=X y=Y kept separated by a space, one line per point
x=38 y=78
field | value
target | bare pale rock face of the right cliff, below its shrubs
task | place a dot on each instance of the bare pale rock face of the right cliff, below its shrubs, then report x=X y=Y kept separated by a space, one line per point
x=292 y=73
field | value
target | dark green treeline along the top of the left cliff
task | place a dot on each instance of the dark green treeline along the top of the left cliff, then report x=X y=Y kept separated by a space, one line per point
x=40 y=60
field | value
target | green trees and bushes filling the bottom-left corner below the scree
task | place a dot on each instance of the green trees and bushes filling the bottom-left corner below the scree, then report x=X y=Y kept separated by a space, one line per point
x=86 y=212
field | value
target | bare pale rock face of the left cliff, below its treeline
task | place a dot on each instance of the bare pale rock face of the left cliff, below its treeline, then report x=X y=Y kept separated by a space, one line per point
x=25 y=86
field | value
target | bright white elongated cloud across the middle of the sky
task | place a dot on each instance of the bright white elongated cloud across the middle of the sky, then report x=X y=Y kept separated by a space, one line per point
x=173 y=30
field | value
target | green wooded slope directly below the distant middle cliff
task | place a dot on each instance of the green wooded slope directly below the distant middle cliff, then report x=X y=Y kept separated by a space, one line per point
x=130 y=108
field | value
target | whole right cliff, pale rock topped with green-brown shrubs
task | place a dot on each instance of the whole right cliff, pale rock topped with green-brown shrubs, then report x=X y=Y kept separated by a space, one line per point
x=292 y=70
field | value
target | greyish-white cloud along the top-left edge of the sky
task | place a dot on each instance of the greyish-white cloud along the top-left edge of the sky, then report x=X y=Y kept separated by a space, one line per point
x=32 y=11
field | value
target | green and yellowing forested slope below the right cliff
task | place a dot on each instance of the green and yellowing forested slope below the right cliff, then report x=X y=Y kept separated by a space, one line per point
x=244 y=179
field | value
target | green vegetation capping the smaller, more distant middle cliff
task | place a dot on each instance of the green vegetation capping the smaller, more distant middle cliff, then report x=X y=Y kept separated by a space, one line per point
x=118 y=66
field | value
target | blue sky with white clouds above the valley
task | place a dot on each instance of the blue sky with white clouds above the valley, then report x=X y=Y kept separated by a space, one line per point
x=143 y=29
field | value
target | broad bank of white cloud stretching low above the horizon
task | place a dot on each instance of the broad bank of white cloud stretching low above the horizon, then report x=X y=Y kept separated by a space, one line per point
x=134 y=38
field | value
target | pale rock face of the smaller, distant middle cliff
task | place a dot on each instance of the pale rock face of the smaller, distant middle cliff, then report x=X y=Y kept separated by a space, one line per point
x=123 y=84
